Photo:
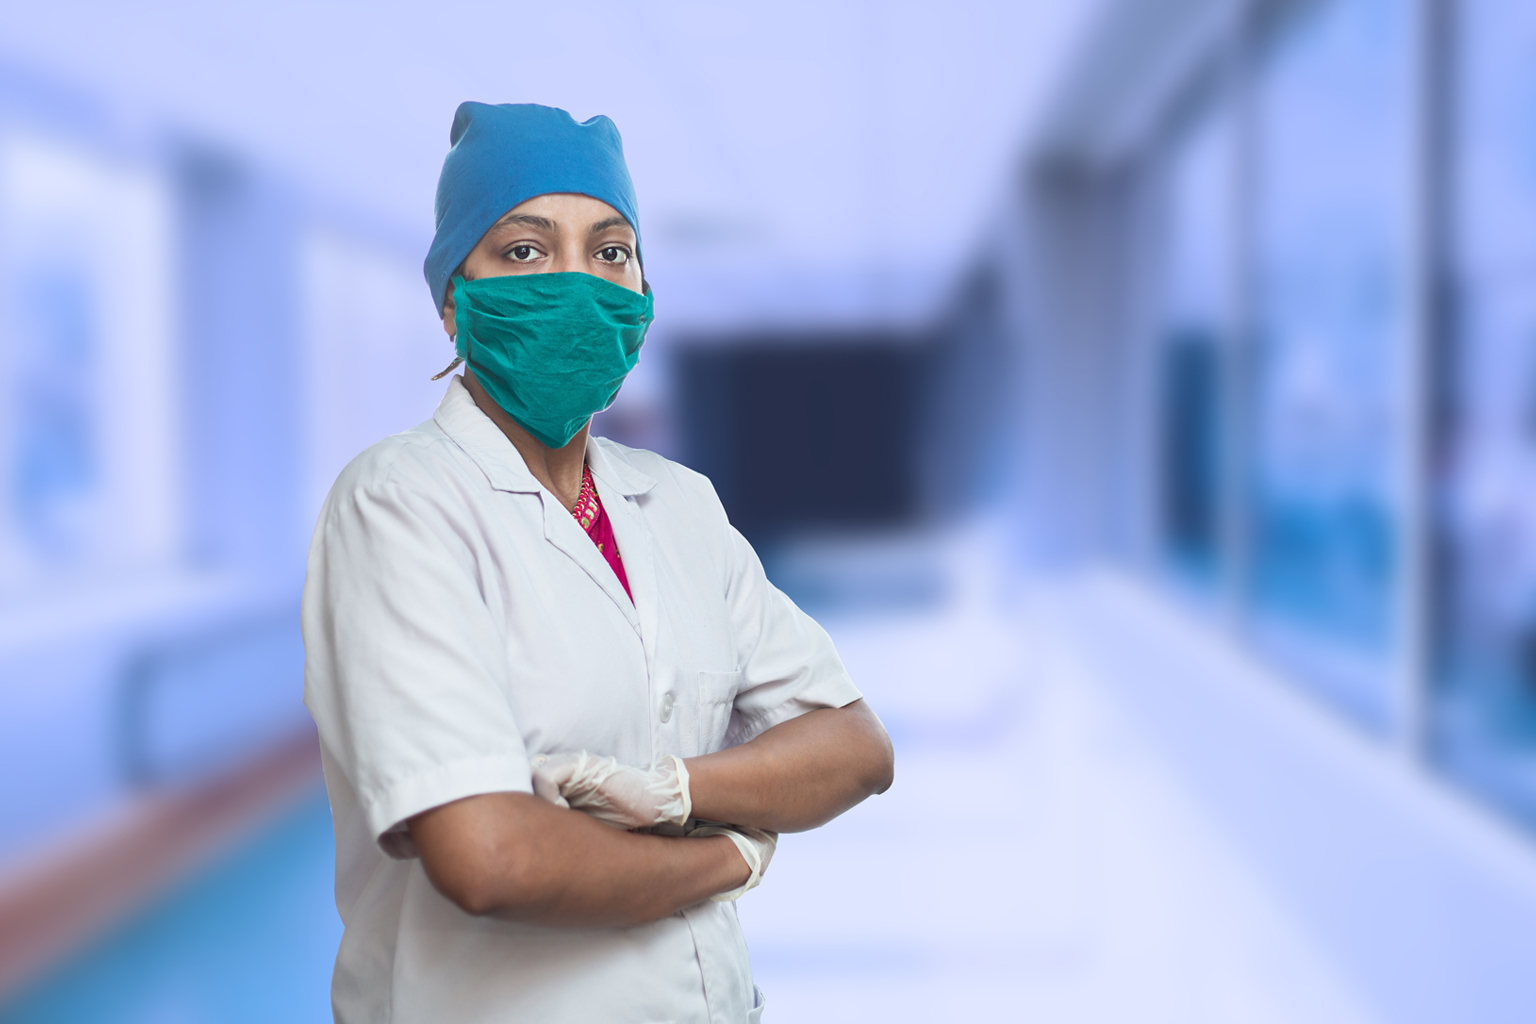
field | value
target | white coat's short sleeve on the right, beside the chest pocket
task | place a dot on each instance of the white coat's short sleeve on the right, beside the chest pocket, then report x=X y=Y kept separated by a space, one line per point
x=789 y=664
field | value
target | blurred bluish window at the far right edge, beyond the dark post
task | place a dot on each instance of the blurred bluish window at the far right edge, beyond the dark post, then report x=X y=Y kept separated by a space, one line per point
x=1486 y=722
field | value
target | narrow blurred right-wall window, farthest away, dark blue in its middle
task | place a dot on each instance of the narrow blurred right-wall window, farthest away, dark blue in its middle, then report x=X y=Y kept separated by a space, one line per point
x=1194 y=331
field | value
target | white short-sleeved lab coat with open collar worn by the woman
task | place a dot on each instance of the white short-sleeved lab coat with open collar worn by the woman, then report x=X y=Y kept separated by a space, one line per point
x=457 y=621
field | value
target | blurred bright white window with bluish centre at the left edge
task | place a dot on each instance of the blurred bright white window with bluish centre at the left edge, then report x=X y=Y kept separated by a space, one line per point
x=88 y=457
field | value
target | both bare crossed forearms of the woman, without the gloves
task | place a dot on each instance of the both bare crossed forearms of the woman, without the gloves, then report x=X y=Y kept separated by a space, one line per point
x=518 y=857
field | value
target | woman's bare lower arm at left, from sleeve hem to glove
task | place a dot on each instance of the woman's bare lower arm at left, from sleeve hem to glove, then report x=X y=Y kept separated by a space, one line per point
x=517 y=857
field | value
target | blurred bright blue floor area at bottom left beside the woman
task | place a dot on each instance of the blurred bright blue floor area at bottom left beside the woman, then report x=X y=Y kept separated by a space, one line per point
x=250 y=939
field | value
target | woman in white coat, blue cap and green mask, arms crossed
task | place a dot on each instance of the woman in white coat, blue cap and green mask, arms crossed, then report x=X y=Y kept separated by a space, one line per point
x=540 y=659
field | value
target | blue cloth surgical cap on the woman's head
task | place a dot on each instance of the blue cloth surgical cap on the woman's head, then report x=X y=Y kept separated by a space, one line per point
x=506 y=154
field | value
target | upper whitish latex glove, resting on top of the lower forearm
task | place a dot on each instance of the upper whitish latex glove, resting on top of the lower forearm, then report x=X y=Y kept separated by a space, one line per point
x=615 y=794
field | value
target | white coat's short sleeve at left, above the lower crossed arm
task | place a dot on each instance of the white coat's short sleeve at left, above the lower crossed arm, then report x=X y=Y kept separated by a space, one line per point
x=405 y=670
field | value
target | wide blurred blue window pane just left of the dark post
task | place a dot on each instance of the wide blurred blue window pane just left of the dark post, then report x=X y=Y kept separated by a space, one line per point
x=1331 y=342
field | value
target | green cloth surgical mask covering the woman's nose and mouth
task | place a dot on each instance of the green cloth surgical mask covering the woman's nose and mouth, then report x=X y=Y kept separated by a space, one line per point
x=551 y=349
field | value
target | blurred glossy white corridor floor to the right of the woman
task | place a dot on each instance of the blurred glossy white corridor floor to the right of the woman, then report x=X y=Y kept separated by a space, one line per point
x=1034 y=862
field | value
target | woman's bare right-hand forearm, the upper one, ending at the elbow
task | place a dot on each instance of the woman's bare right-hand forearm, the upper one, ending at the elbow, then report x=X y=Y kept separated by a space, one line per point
x=796 y=776
